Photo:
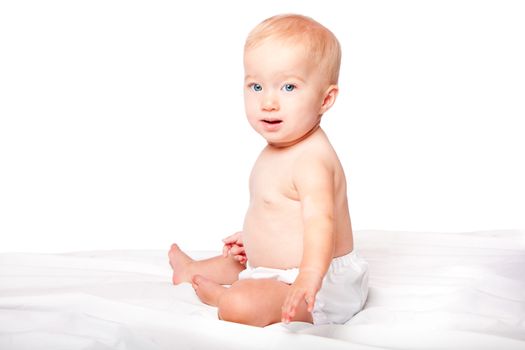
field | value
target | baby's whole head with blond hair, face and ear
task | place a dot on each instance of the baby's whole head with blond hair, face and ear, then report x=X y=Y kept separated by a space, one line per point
x=291 y=66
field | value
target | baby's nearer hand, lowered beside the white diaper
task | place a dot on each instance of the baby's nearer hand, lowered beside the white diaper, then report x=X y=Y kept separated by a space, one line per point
x=304 y=289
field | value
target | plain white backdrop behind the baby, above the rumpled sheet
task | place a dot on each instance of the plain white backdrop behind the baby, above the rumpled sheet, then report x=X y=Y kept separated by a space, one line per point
x=122 y=122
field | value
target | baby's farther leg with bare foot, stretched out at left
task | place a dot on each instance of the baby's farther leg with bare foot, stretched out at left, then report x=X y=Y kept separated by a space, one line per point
x=222 y=270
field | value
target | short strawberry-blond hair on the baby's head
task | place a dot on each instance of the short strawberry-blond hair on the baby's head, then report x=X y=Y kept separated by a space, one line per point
x=320 y=43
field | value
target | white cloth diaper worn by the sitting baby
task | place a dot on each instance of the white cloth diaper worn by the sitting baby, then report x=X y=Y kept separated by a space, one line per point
x=342 y=295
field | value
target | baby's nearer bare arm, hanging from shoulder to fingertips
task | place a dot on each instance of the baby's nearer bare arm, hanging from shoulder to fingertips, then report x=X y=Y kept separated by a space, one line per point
x=314 y=181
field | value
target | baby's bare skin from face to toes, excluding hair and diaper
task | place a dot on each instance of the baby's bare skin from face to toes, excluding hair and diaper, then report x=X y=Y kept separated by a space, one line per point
x=298 y=214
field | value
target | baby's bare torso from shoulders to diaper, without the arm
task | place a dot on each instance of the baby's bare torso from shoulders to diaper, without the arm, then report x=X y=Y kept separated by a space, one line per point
x=273 y=226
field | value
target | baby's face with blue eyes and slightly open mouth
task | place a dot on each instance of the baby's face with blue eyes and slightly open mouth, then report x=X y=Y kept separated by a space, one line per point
x=283 y=92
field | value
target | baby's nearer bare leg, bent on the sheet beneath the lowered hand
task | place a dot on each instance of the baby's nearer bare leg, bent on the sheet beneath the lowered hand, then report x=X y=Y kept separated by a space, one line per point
x=252 y=302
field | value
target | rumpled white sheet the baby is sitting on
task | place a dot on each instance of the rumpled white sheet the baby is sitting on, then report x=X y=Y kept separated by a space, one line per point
x=427 y=291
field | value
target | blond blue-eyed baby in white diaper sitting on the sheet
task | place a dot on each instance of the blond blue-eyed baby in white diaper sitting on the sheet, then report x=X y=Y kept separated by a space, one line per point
x=294 y=259
